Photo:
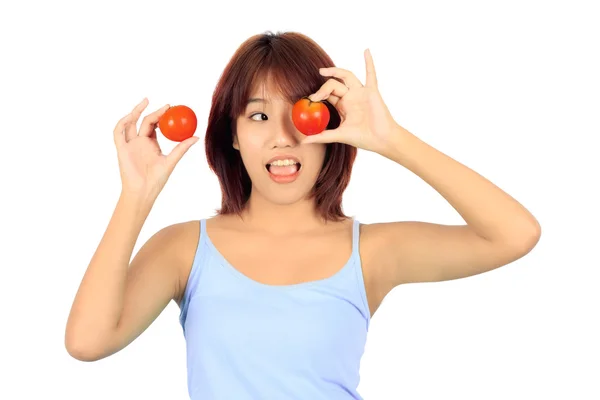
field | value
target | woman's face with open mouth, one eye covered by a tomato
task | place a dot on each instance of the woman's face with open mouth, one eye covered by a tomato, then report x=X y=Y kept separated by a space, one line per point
x=282 y=170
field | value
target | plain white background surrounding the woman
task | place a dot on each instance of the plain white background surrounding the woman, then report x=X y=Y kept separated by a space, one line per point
x=509 y=88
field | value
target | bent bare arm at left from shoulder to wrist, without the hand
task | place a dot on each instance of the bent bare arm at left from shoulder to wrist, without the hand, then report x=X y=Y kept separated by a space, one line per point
x=117 y=300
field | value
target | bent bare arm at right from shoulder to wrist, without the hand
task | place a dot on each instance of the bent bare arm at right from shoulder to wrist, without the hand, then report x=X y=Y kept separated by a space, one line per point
x=498 y=229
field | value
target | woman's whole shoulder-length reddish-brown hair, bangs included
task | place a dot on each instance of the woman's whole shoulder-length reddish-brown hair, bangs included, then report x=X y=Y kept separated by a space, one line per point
x=292 y=61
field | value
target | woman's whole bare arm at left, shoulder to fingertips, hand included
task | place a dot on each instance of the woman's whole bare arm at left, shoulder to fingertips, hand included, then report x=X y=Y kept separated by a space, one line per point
x=117 y=301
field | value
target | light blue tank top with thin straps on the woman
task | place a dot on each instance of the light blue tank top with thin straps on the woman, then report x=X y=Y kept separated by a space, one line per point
x=249 y=340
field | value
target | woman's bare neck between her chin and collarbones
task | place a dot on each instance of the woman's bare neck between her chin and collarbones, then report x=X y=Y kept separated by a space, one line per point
x=277 y=218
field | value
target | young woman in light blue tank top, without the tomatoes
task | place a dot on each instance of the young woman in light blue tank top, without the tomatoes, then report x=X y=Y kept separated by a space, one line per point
x=277 y=290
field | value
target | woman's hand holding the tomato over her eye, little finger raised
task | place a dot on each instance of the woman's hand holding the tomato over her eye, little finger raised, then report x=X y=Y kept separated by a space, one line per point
x=366 y=122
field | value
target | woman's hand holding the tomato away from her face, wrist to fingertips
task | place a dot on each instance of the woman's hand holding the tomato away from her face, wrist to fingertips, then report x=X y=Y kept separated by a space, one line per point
x=144 y=168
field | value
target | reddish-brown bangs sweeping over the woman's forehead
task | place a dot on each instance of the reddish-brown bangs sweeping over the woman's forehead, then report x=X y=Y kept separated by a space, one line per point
x=289 y=71
